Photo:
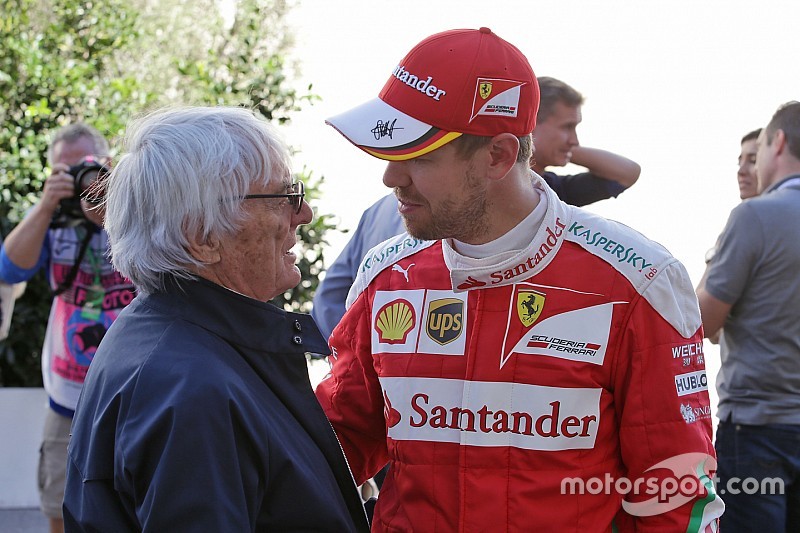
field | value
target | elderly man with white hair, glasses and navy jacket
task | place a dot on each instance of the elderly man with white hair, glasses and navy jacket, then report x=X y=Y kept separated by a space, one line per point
x=197 y=413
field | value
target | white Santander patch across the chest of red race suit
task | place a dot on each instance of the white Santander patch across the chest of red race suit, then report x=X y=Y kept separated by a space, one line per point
x=479 y=413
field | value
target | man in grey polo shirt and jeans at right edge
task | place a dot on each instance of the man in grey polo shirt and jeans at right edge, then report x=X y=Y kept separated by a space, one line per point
x=752 y=289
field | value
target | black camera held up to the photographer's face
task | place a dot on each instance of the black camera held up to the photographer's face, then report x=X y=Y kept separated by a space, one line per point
x=89 y=176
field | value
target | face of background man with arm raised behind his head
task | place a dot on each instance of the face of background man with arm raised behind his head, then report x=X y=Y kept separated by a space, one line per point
x=556 y=136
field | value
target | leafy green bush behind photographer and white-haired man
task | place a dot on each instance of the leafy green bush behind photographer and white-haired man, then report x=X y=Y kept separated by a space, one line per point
x=105 y=61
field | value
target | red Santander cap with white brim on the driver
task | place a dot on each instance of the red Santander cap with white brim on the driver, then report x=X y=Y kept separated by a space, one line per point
x=451 y=83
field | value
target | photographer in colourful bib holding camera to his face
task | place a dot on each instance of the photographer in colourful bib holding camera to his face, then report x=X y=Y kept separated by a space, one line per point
x=63 y=234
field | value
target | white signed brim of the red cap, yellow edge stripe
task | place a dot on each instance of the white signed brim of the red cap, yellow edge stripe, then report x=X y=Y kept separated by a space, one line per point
x=386 y=133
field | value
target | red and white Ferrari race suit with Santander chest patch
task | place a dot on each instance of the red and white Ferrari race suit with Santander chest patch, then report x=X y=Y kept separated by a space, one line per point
x=529 y=394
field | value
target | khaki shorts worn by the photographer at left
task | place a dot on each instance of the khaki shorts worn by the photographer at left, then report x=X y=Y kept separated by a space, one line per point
x=53 y=463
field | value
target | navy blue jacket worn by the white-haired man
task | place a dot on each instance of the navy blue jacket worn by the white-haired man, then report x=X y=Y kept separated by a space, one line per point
x=197 y=414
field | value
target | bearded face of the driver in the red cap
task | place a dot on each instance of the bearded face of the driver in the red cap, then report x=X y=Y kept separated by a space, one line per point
x=440 y=196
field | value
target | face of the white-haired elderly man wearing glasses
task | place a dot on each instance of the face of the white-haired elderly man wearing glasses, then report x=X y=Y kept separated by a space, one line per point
x=258 y=261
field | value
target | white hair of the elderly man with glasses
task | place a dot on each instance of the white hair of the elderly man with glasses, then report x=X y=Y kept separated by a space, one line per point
x=182 y=173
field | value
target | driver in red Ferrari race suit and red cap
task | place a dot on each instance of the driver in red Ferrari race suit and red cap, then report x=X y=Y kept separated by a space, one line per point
x=522 y=365
